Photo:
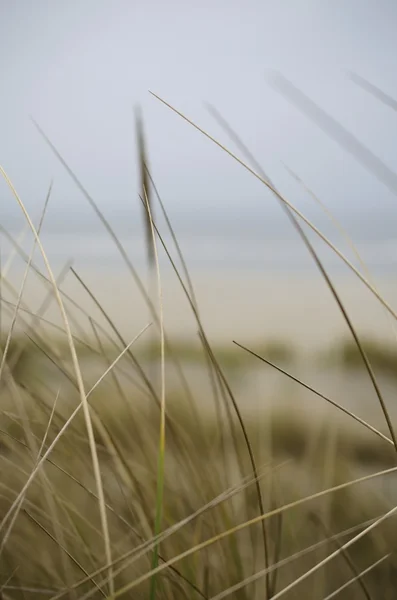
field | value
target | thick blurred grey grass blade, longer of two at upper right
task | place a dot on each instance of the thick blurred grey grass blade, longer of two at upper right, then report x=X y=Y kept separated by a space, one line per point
x=336 y=132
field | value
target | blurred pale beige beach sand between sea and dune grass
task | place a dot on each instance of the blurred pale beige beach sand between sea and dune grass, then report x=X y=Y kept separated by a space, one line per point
x=246 y=306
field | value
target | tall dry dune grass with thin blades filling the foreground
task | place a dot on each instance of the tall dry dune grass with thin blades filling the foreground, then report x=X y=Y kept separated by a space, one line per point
x=113 y=486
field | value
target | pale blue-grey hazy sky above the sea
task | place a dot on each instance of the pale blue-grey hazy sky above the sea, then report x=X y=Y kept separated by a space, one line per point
x=80 y=66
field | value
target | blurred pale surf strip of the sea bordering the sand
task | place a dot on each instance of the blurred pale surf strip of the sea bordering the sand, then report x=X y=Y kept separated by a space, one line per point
x=210 y=250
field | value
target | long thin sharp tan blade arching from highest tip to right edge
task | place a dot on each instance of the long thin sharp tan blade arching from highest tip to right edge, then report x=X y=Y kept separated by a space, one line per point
x=287 y=203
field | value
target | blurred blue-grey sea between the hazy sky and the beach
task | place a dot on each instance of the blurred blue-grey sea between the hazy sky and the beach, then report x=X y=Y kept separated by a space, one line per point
x=247 y=237
